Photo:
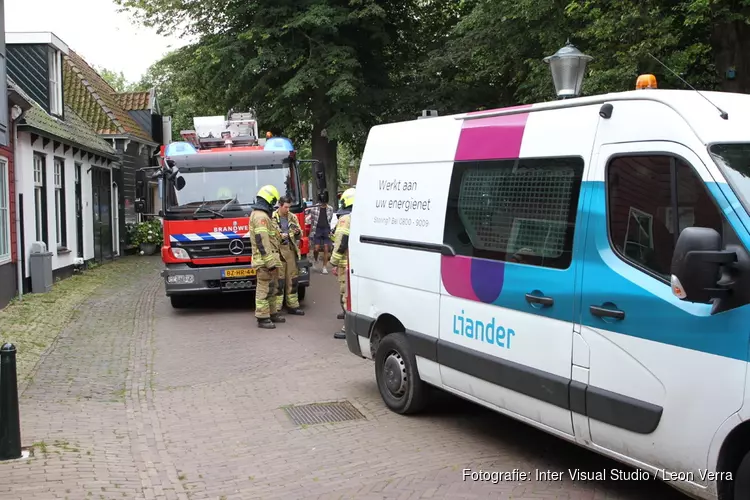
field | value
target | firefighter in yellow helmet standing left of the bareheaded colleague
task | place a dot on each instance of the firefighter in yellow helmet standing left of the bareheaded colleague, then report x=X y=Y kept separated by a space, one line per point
x=266 y=259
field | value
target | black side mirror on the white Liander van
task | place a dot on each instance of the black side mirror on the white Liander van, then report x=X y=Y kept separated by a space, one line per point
x=703 y=272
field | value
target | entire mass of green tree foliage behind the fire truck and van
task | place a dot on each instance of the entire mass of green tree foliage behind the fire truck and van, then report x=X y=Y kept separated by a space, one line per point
x=323 y=72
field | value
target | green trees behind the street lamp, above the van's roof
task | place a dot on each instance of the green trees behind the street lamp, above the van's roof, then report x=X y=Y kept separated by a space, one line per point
x=495 y=51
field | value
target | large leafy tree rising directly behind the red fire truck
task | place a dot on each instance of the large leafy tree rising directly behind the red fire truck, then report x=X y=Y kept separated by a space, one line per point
x=311 y=68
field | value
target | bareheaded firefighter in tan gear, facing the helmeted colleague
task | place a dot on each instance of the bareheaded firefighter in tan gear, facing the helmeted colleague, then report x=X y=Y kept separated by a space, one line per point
x=291 y=234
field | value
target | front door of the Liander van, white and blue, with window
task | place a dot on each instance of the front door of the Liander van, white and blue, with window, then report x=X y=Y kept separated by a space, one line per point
x=664 y=374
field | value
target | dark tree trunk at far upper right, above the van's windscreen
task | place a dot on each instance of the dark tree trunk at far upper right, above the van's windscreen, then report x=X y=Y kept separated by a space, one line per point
x=731 y=46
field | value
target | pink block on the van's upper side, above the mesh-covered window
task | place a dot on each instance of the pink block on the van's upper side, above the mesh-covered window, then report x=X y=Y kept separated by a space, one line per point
x=495 y=137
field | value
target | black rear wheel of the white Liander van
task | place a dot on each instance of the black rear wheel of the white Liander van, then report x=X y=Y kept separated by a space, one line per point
x=398 y=380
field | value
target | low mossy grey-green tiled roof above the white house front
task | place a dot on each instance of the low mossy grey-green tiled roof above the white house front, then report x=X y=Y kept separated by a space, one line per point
x=73 y=129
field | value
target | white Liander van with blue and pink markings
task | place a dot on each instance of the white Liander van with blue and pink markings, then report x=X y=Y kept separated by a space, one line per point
x=580 y=265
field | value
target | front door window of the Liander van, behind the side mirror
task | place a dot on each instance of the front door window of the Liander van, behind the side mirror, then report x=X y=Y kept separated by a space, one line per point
x=645 y=218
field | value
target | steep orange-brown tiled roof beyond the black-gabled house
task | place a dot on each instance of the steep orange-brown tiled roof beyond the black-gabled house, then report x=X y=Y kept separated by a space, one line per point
x=96 y=101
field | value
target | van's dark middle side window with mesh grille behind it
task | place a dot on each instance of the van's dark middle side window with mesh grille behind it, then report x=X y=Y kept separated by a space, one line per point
x=520 y=211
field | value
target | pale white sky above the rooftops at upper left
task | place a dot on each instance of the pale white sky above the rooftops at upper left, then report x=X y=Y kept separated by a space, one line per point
x=95 y=30
